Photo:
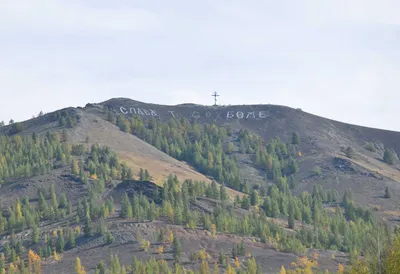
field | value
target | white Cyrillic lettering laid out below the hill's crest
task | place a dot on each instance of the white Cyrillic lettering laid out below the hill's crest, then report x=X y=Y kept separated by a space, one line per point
x=230 y=114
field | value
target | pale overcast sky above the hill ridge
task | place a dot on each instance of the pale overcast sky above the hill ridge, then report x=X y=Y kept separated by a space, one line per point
x=338 y=59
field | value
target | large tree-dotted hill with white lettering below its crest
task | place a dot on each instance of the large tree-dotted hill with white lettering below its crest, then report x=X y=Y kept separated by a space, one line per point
x=122 y=176
